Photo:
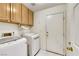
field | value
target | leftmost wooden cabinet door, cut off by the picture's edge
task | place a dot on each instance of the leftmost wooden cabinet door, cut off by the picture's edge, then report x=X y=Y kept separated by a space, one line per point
x=4 y=12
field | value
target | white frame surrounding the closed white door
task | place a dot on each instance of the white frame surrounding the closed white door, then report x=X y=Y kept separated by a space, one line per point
x=64 y=33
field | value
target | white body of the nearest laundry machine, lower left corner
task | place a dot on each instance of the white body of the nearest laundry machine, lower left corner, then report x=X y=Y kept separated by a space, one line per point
x=14 y=48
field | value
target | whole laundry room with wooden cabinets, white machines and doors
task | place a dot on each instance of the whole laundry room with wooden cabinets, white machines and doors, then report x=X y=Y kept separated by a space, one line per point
x=39 y=29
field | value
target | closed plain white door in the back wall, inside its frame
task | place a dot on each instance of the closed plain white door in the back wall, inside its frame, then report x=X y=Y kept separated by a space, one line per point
x=55 y=33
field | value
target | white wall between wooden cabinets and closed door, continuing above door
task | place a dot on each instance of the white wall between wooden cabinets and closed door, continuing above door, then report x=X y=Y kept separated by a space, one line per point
x=39 y=22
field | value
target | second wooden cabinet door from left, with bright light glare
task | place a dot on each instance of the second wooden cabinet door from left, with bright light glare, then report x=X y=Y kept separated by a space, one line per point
x=16 y=13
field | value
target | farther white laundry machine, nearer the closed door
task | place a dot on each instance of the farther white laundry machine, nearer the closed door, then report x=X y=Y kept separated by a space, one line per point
x=33 y=40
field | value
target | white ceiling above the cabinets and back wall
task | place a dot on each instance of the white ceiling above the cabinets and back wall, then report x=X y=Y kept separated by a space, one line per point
x=39 y=6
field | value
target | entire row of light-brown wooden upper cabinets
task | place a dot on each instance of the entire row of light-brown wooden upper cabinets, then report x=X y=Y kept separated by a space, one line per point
x=16 y=13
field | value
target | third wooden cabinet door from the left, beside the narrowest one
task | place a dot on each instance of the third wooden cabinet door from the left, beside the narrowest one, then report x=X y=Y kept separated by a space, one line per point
x=25 y=15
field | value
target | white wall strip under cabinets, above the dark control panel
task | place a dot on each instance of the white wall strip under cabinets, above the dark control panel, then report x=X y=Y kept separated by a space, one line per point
x=8 y=27
